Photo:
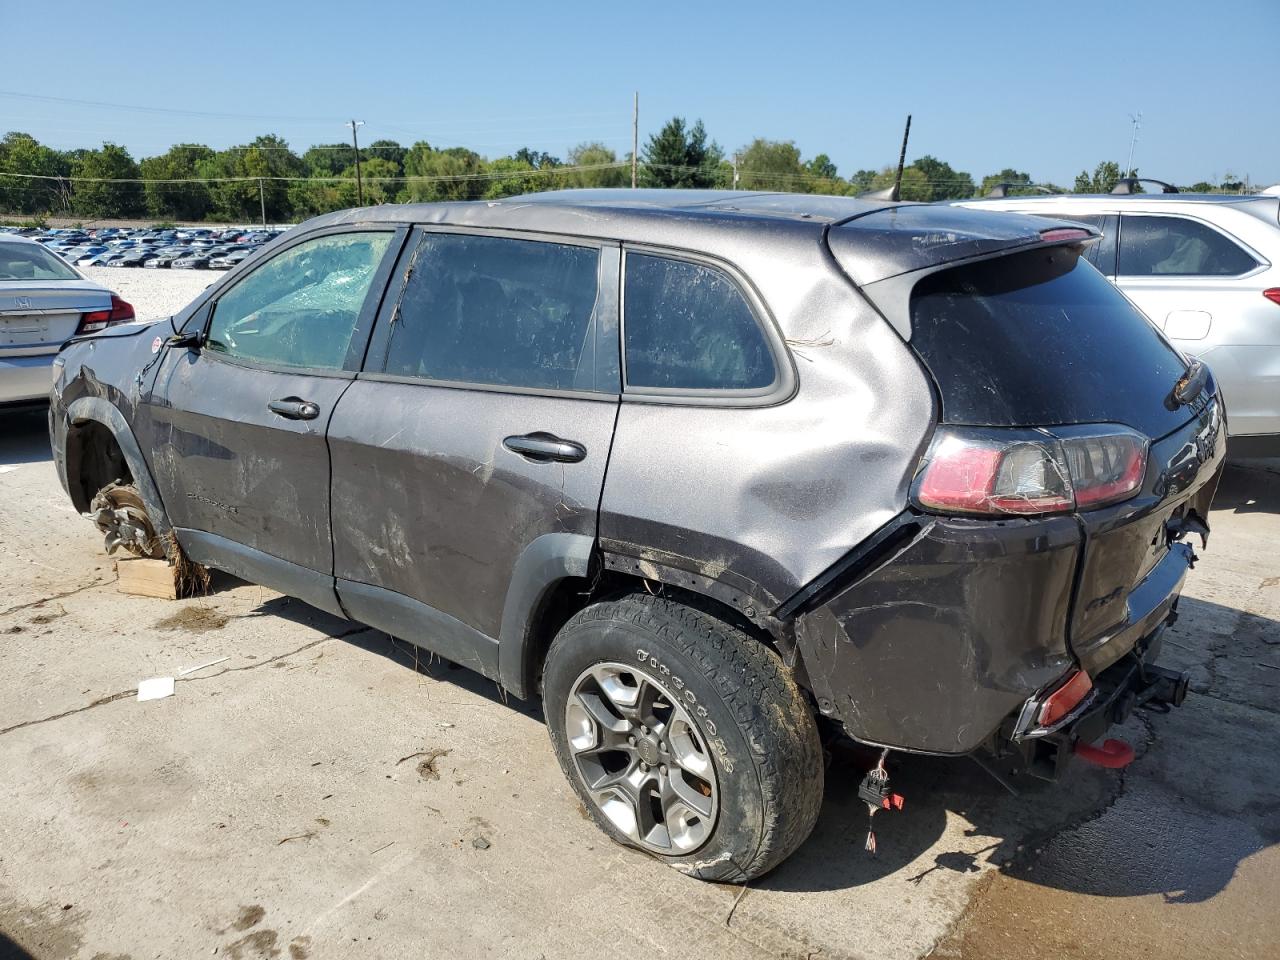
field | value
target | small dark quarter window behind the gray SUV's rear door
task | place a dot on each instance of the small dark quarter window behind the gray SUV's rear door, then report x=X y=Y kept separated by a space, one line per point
x=689 y=327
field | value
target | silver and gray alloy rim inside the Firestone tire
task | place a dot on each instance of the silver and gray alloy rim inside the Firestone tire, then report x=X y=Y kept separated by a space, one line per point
x=643 y=762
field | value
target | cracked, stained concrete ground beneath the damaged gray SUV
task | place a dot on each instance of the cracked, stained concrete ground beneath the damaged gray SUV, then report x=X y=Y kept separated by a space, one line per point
x=327 y=794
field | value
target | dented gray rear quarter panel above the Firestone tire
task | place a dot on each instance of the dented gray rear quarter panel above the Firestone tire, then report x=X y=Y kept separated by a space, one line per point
x=764 y=499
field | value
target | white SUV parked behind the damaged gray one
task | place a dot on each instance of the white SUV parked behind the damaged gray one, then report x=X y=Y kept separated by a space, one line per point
x=1206 y=269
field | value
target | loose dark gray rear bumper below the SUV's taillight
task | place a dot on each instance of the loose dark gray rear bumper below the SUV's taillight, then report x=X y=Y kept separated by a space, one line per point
x=947 y=644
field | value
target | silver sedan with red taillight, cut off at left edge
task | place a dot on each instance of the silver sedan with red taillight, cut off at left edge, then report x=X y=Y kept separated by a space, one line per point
x=44 y=303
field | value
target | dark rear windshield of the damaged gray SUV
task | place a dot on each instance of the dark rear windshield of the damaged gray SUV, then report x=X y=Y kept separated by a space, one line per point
x=1043 y=339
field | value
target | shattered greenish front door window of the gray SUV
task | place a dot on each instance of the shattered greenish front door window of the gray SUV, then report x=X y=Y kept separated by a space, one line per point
x=300 y=309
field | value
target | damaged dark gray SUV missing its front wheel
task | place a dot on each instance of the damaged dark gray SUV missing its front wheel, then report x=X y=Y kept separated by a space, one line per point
x=701 y=470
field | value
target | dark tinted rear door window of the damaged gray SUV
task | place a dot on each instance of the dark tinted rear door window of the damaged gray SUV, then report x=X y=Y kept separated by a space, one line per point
x=495 y=310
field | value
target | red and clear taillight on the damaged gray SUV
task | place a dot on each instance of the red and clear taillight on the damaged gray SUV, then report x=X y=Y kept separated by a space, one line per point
x=998 y=473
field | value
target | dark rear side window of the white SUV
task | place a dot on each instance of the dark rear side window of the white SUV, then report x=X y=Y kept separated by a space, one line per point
x=1174 y=246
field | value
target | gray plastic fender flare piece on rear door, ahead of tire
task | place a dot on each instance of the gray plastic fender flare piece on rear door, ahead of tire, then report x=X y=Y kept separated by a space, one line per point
x=541 y=566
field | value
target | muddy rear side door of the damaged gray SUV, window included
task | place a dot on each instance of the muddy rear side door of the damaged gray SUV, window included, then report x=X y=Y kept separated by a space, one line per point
x=481 y=427
